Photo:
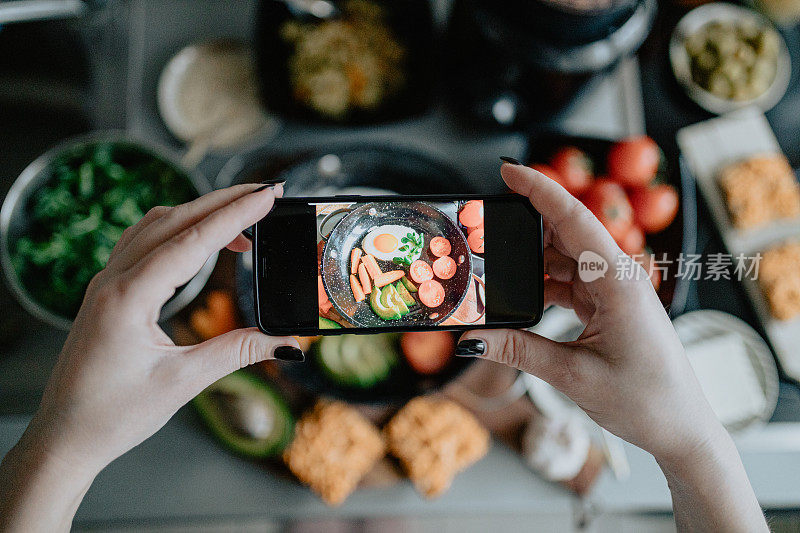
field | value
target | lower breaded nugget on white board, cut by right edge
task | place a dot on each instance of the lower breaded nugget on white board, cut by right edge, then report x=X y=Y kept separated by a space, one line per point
x=779 y=277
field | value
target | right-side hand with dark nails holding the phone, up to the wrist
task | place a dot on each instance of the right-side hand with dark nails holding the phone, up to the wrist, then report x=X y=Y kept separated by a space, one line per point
x=628 y=369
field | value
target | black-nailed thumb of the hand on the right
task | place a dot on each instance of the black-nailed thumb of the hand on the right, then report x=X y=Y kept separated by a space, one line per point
x=531 y=353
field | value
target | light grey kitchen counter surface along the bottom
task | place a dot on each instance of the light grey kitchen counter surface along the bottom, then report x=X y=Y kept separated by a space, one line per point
x=181 y=475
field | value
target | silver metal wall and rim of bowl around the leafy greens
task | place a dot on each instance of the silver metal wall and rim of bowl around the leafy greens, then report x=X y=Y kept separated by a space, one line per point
x=14 y=218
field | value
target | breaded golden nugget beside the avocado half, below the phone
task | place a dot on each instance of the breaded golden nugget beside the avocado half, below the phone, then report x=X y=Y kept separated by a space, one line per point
x=334 y=446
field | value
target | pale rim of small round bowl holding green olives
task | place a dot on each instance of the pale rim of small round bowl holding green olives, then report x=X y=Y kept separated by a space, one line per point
x=680 y=61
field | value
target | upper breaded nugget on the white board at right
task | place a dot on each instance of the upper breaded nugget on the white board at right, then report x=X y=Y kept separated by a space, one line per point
x=760 y=190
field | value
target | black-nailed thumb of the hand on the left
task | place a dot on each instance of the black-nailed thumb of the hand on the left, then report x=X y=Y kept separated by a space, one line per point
x=237 y=349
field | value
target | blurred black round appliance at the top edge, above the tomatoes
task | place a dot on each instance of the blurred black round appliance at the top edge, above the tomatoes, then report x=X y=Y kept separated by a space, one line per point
x=519 y=61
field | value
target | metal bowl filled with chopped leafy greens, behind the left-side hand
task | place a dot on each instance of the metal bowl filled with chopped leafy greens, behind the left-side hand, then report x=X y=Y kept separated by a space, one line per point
x=66 y=211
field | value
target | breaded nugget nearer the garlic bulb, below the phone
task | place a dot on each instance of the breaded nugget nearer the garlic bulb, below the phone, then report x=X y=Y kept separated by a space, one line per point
x=434 y=440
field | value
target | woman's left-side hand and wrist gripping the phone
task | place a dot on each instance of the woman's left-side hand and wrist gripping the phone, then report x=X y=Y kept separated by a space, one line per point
x=119 y=377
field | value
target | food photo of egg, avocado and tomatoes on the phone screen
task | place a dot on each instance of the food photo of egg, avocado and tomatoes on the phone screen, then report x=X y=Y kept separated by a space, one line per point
x=402 y=264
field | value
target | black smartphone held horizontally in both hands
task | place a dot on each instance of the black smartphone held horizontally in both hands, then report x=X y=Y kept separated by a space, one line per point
x=359 y=264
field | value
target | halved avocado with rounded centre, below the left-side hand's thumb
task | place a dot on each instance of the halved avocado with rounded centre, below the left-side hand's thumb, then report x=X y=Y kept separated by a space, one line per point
x=246 y=415
